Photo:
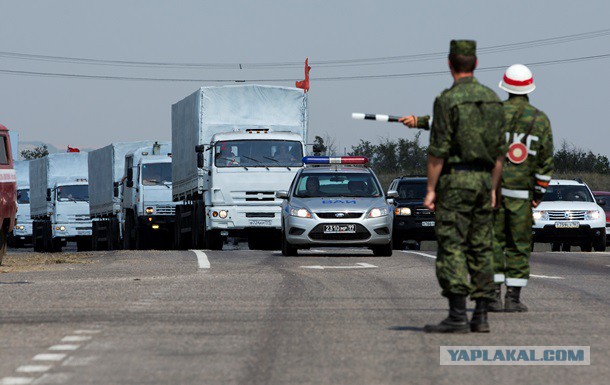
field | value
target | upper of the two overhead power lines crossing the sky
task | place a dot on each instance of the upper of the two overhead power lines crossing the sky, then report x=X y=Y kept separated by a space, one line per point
x=322 y=63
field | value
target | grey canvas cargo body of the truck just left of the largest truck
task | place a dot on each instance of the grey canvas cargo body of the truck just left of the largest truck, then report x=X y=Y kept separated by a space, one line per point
x=106 y=173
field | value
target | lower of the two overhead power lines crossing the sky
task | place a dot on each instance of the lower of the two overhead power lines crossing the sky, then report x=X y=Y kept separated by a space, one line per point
x=273 y=80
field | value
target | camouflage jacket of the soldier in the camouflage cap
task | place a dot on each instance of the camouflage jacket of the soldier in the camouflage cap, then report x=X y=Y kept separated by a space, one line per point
x=468 y=125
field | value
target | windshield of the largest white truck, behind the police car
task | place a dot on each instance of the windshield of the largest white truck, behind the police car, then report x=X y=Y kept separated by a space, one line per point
x=258 y=153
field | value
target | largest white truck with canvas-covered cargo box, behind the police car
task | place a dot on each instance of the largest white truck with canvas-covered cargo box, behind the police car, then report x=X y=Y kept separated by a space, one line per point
x=234 y=147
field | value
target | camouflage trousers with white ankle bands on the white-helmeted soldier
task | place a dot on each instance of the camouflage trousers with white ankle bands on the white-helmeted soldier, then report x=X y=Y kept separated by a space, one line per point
x=512 y=241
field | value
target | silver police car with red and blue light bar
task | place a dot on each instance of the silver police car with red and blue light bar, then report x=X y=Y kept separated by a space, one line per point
x=336 y=202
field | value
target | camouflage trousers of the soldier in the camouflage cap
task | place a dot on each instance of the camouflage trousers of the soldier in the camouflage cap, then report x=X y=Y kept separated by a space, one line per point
x=464 y=231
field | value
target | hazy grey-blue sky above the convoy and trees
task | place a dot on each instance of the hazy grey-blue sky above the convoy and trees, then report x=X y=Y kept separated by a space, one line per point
x=93 y=113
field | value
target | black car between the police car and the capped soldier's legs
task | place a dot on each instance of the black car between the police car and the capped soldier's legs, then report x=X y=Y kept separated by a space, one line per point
x=413 y=222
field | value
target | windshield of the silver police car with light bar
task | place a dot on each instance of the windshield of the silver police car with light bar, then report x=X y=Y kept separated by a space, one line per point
x=337 y=184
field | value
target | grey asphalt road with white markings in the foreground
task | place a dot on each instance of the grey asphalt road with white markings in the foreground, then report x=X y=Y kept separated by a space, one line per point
x=255 y=317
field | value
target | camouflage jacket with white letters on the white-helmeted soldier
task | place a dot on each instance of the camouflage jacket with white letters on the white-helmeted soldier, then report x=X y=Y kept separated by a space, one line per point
x=534 y=174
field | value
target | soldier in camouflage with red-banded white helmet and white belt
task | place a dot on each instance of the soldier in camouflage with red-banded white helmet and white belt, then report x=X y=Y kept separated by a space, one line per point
x=525 y=177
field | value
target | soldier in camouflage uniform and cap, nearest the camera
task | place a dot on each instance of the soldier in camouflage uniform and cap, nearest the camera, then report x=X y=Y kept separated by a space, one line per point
x=466 y=148
